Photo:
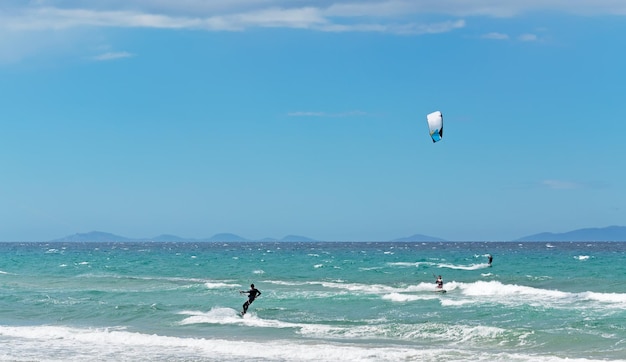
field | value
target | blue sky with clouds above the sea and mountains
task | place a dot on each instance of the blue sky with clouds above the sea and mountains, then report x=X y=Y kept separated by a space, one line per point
x=270 y=118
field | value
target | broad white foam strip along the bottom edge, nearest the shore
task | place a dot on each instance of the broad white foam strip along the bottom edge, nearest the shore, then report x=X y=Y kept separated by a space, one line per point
x=72 y=344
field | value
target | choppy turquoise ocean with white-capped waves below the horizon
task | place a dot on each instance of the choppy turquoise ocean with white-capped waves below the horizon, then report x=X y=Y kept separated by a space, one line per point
x=330 y=301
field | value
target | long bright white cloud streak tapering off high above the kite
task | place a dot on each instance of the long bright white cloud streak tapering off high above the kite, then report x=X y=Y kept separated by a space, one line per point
x=312 y=18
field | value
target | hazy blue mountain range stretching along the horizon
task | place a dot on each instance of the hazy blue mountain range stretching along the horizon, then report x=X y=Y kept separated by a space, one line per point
x=610 y=233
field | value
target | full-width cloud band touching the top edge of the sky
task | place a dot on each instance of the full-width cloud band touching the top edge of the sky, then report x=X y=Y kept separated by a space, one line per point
x=388 y=16
